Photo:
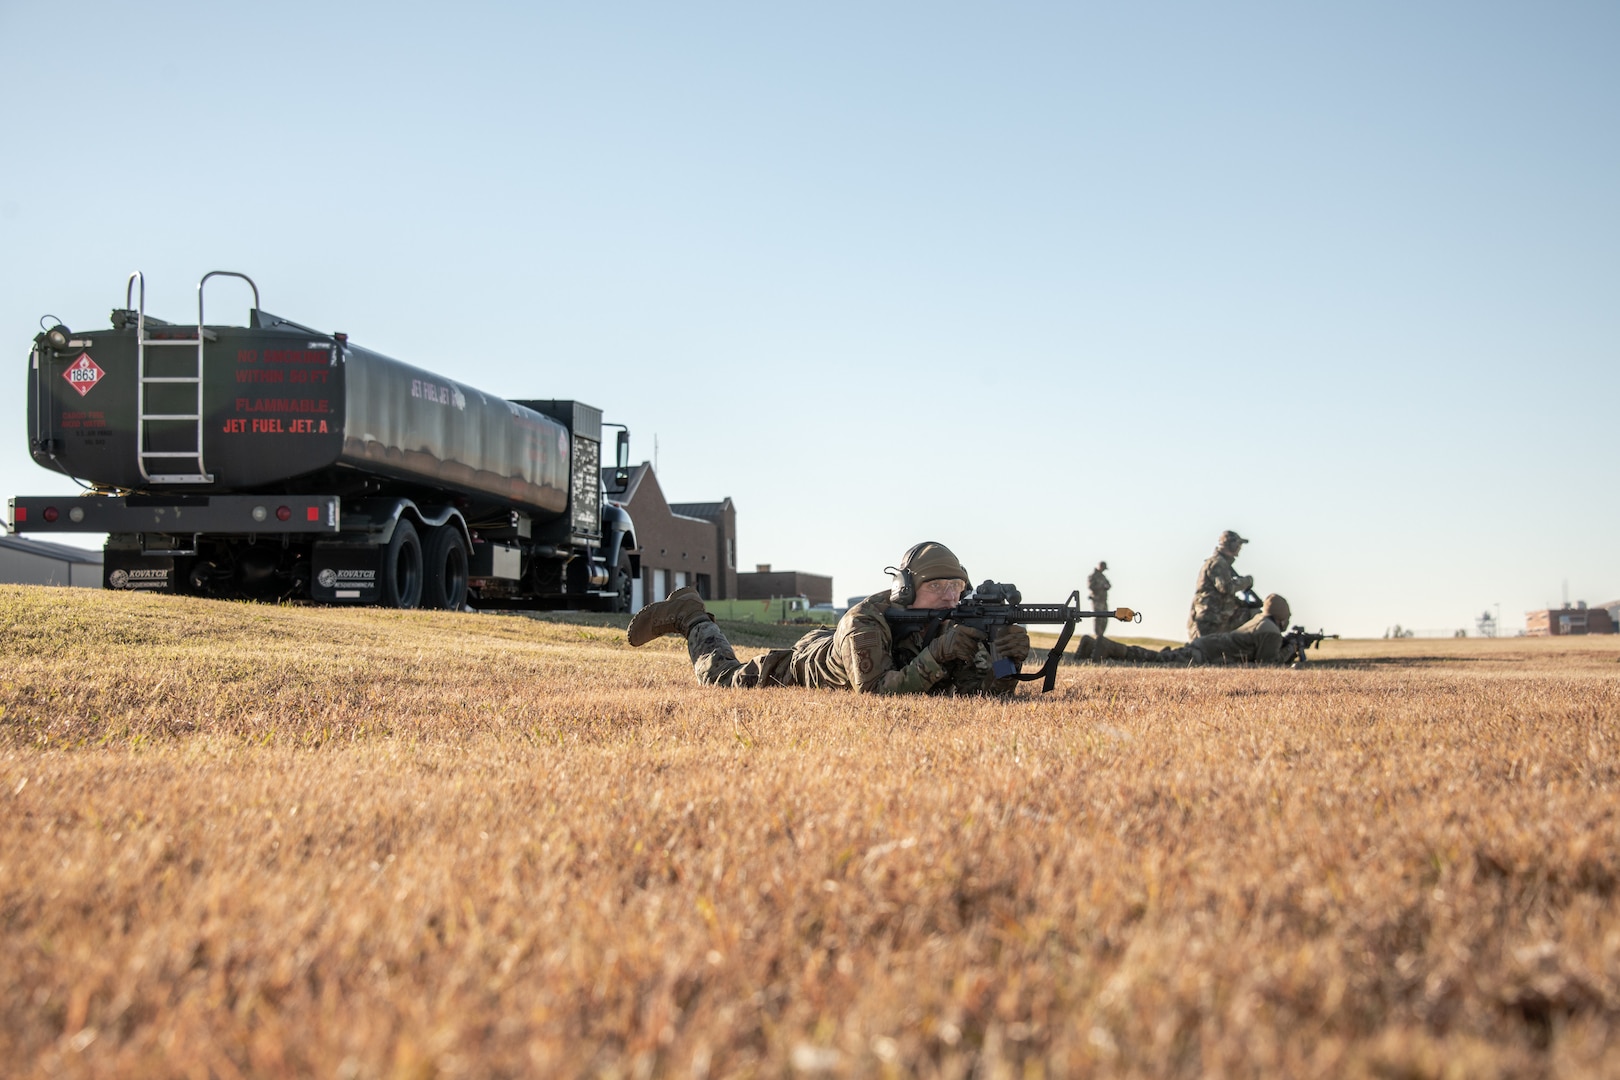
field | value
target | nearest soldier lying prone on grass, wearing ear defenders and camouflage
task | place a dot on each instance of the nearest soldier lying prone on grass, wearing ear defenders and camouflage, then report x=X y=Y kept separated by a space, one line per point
x=863 y=652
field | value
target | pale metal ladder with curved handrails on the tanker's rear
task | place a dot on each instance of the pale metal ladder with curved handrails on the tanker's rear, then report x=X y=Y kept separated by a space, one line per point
x=182 y=464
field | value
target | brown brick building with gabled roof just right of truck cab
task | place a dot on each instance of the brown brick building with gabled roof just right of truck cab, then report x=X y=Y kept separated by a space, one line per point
x=689 y=543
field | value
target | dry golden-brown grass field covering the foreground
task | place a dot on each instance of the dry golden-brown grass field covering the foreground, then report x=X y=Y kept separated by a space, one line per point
x=252 y=841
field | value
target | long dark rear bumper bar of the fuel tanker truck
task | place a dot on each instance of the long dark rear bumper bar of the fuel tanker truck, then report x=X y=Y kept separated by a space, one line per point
x=177 y=514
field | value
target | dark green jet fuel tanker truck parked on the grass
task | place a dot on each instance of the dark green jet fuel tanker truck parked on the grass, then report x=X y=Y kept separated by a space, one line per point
x=278 y=462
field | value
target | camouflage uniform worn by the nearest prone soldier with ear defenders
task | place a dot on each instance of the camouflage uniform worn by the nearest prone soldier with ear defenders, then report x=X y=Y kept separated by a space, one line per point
x=859 y=655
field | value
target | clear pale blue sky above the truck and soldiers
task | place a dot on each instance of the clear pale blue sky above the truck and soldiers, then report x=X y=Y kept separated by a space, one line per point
x=1046 y=283
